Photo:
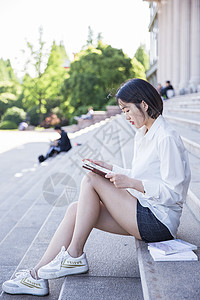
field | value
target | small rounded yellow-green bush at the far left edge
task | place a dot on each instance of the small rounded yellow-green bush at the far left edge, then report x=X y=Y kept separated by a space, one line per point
x=14 y=114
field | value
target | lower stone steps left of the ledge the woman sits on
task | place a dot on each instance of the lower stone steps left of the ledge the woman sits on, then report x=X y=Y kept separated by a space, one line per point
x=32 y=207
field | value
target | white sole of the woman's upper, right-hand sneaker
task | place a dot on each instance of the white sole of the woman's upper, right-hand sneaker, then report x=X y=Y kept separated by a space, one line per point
x=62 y=273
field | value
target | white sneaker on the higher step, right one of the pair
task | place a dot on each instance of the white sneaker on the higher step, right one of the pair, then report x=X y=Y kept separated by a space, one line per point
x=63 y=264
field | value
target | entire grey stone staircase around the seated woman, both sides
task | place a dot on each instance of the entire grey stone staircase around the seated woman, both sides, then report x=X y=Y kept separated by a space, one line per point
x=31 y=208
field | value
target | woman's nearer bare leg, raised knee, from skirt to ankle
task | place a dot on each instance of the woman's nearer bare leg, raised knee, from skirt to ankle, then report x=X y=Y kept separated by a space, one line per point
x=119 y=203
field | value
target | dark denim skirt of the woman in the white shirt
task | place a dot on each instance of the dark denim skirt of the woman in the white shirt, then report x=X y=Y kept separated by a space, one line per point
x=150 y=228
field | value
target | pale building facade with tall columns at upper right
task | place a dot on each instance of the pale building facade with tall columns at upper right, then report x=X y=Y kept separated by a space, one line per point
x=175 y=44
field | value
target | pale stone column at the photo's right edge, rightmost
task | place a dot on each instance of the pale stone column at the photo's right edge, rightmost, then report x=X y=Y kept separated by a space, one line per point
x=195 y=46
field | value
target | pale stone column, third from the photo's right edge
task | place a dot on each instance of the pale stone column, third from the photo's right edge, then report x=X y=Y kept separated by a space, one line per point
x=176 y=46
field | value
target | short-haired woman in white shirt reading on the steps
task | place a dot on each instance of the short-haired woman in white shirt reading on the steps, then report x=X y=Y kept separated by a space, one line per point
x=144 y=201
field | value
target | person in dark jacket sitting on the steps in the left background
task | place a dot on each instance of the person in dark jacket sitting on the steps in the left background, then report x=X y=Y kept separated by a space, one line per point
x=62 y=144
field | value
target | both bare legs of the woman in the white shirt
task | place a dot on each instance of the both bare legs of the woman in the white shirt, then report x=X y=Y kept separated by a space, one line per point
x=117 y=214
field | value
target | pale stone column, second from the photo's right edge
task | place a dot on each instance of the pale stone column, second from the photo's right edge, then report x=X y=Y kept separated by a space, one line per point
x=185 y=46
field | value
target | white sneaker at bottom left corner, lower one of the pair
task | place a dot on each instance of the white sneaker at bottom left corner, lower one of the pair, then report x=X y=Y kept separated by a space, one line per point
x=24 y=283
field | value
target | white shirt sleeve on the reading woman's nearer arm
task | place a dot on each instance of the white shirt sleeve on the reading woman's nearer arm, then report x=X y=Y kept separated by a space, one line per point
x=172 y=171
